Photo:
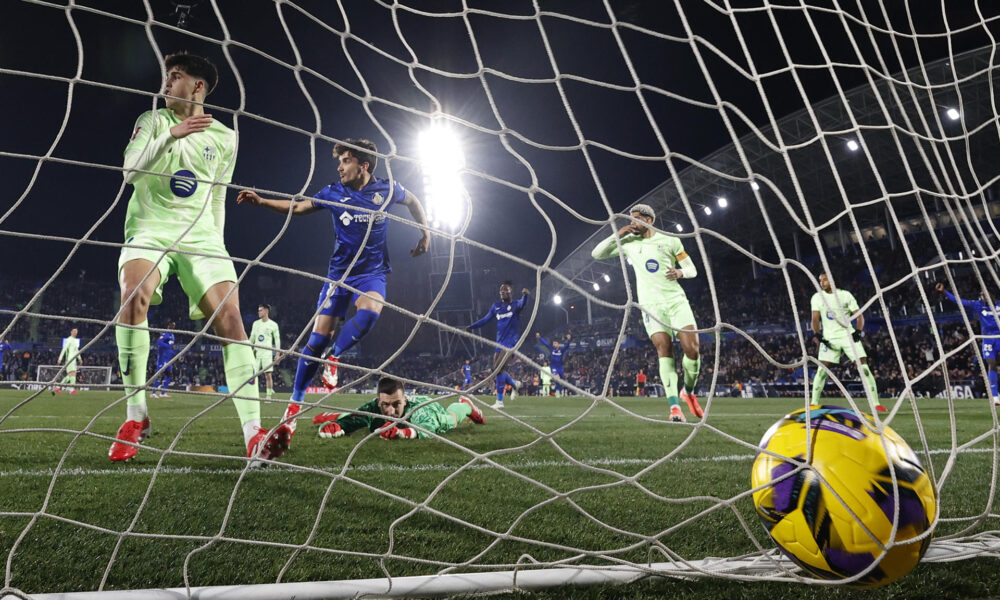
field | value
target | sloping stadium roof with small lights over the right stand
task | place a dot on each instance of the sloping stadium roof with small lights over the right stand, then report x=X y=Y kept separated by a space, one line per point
x=811 y=168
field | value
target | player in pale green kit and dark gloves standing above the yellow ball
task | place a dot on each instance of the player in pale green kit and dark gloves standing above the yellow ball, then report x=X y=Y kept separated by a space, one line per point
x=832 y=313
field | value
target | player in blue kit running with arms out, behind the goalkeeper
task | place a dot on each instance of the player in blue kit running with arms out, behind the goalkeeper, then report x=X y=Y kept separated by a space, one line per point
x=357 y=205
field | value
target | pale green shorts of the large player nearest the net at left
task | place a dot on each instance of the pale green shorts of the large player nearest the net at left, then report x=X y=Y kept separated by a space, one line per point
x=196 y=273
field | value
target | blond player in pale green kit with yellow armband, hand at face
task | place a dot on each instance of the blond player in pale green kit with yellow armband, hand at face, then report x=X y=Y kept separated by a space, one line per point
x=659 y=261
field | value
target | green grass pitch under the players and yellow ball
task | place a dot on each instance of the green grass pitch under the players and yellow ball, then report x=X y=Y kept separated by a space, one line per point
x=582 y=481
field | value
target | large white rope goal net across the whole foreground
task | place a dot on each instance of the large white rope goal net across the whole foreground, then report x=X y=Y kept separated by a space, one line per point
x=776 y=142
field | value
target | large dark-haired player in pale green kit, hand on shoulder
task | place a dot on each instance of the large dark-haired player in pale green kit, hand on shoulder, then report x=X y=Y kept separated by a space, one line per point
x=179 y=162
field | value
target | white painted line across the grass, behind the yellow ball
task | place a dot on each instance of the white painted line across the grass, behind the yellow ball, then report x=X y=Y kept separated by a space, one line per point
x=599 y=462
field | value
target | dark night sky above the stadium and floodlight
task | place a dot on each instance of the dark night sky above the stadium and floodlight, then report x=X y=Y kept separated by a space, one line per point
x=119 y=74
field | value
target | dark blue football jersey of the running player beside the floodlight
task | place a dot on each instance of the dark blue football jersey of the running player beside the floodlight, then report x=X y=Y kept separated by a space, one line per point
x=352 y=225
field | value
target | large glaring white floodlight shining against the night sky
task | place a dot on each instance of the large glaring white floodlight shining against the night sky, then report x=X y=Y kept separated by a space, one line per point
x=442 y=159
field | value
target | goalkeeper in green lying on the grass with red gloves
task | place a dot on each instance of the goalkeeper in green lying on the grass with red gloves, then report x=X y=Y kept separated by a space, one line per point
x=421 y=416
